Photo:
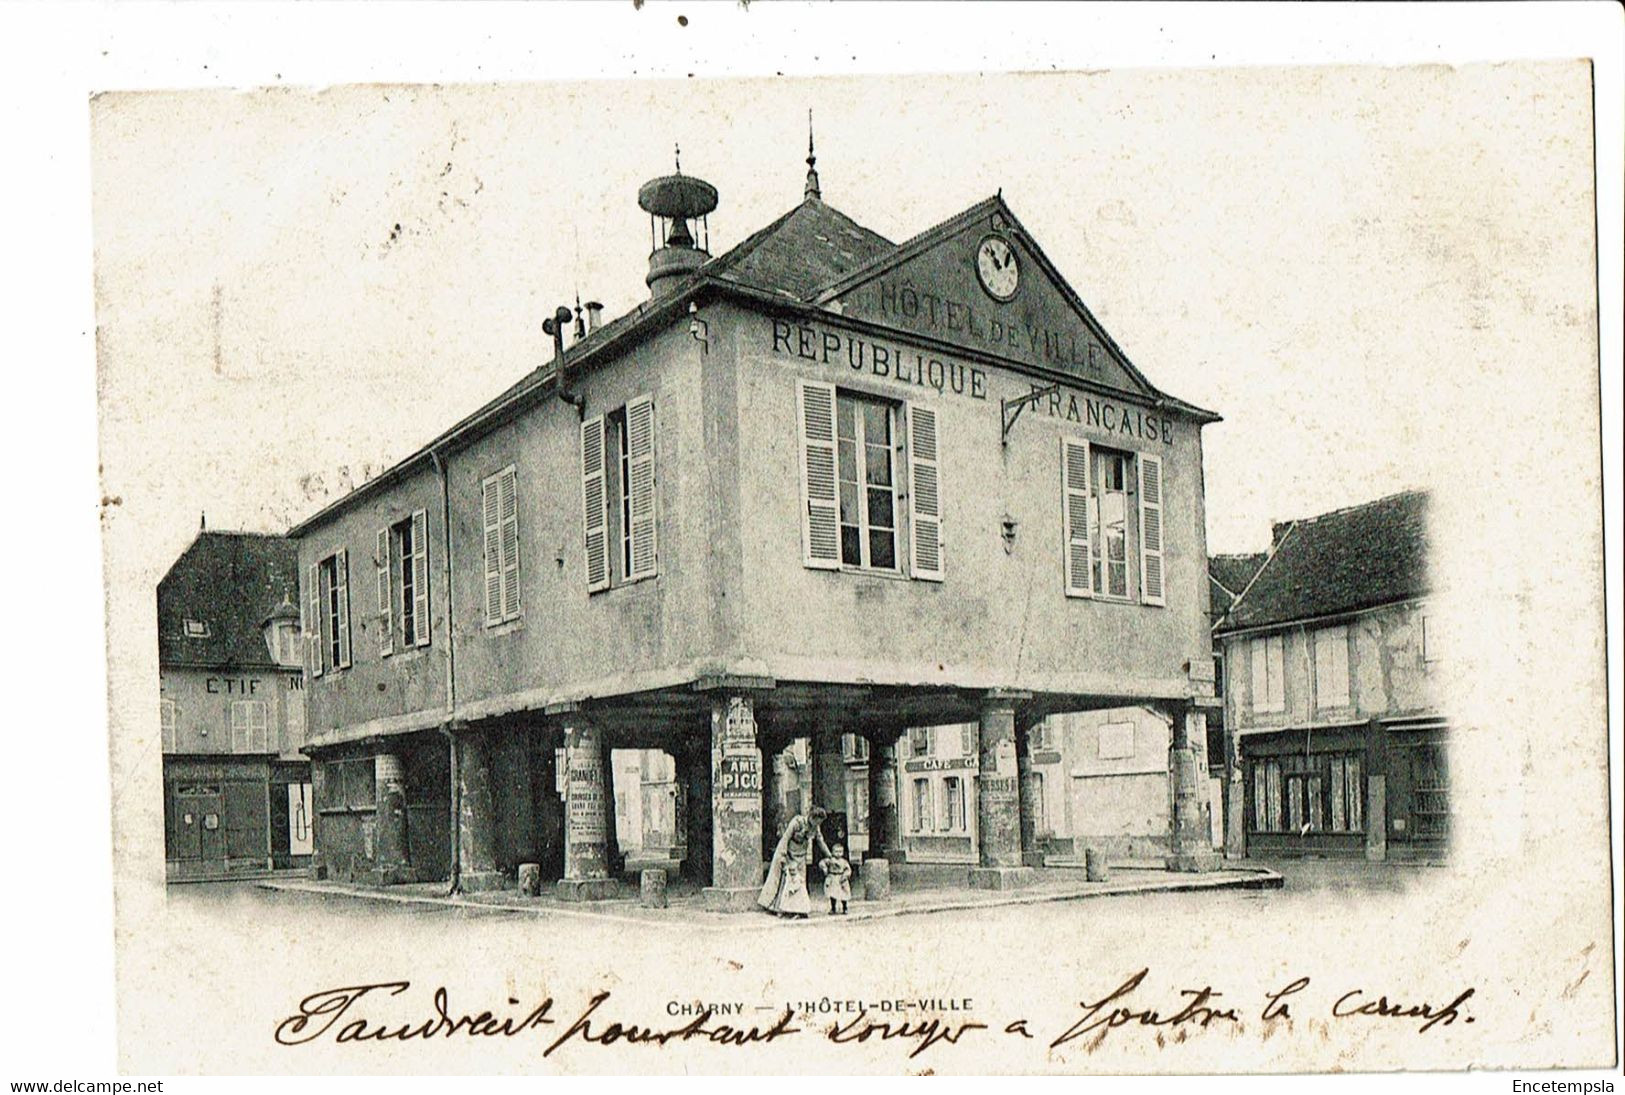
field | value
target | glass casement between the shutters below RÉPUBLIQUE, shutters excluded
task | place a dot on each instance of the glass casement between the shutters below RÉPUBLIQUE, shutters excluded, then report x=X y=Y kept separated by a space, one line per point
x=869 y=491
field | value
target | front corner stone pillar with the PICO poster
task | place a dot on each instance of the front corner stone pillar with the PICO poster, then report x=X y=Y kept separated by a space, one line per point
x=737 y=807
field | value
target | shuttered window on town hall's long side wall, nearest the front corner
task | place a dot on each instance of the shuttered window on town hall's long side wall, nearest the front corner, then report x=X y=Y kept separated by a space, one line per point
x=618 y=495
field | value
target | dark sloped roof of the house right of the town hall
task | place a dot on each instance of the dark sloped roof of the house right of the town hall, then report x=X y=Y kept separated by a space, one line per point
x=1345 y=561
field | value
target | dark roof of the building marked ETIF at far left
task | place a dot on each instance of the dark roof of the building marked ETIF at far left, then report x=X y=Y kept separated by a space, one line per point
x=230 y=584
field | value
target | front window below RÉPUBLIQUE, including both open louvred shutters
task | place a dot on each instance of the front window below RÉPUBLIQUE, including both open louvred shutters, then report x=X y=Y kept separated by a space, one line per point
x=854 y=483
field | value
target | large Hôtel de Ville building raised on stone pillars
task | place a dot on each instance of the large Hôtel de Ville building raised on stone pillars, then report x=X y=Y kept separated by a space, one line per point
x=817 y=490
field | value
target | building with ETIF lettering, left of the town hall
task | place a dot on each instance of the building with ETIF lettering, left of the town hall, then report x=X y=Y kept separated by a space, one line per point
x=232 y=709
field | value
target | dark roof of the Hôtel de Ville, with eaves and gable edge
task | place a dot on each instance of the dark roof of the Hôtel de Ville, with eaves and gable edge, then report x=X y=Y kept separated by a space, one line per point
x=795 y=262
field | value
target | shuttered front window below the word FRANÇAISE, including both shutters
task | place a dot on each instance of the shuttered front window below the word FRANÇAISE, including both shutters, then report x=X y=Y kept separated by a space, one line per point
x=1112 y=501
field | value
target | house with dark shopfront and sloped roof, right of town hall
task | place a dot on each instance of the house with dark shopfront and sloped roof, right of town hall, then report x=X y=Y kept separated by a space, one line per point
x=1337 y=742
